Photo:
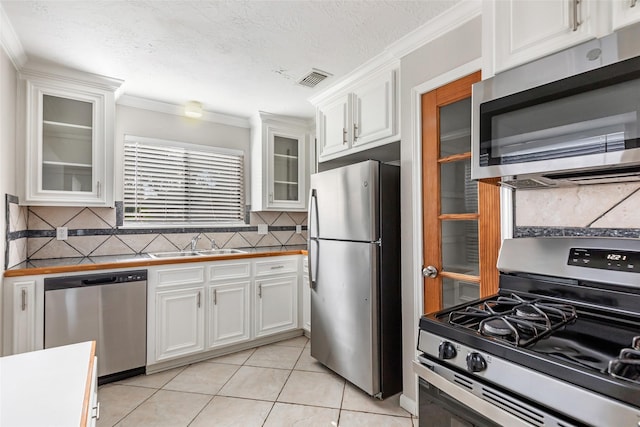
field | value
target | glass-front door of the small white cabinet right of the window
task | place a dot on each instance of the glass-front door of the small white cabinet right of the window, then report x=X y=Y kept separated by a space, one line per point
x=286 y=183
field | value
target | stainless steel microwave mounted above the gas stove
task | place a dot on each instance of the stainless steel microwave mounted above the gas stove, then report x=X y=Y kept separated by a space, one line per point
x=569 y=118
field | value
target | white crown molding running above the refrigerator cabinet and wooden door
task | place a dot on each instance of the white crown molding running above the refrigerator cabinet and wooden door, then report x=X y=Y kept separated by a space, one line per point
x=447 y=21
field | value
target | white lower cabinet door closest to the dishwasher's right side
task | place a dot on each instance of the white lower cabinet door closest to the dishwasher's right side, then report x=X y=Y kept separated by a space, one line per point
x=179 y=322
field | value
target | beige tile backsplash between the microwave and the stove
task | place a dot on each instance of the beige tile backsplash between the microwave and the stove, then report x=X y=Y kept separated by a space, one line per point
x=589 y=210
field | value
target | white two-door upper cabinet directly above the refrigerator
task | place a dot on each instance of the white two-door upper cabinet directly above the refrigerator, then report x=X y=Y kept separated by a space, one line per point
x=358 y=116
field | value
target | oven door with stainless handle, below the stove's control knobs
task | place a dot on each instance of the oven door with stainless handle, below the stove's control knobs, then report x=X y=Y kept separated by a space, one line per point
x=445 y=404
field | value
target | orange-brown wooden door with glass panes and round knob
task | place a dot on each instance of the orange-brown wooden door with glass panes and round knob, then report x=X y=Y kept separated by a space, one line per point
x=461 y=217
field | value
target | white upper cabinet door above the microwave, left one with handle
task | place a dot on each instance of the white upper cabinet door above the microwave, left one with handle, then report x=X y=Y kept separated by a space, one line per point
x=524 y=30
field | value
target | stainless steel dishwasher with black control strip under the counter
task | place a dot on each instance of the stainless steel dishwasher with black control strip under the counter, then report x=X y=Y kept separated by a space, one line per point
x=110 y=308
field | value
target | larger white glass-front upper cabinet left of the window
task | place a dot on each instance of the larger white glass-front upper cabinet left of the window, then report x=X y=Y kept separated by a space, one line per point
x=67 y=128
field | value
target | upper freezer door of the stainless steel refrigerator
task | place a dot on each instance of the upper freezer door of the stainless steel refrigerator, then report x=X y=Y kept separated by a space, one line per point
x=344 y=203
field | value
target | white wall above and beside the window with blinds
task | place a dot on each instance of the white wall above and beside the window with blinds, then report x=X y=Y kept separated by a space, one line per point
x=151 y=124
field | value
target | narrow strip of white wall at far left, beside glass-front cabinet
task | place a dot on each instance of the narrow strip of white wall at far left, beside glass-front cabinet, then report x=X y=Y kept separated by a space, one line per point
x=8 y=88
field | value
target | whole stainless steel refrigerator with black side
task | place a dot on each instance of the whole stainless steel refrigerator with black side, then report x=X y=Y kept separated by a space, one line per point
x=354 y=269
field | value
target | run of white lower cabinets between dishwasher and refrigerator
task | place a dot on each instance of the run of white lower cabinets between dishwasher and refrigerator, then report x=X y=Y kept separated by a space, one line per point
x=204 y=306
